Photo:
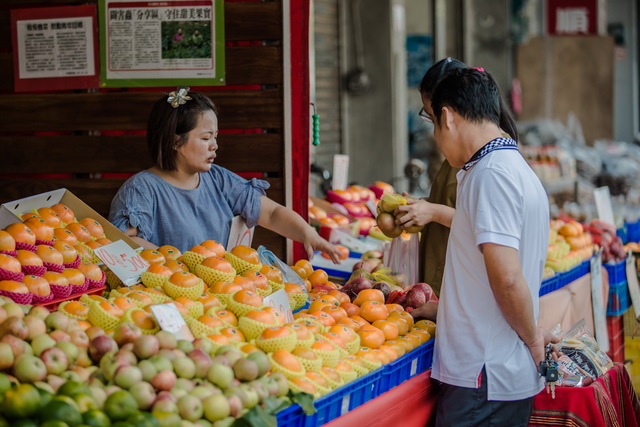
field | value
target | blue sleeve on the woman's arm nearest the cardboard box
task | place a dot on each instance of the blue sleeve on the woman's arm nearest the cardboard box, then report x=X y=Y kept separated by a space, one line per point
x=132 y=207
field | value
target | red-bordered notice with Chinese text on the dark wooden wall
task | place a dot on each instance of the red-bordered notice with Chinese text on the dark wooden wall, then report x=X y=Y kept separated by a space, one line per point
x=55 y=48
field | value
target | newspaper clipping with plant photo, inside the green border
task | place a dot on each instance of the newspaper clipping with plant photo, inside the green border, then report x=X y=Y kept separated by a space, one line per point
x=160 y=40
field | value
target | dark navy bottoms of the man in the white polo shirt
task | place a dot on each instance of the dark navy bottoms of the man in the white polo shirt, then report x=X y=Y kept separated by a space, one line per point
x=462 y=407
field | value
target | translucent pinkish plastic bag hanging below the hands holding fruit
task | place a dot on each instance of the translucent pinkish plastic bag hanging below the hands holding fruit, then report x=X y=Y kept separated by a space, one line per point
x=402 y=257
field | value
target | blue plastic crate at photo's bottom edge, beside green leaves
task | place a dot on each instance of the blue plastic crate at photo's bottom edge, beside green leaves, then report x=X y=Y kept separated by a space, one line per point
x=334 y=404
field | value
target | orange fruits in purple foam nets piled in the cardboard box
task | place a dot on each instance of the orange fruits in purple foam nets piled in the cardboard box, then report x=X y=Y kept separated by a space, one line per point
x=48 y=255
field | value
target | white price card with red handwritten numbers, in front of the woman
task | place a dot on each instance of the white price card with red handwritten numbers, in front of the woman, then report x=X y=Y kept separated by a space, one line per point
x=123 y=261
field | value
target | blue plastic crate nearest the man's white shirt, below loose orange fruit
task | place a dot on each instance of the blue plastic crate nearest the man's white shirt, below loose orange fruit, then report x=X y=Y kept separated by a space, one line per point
x=408 y=366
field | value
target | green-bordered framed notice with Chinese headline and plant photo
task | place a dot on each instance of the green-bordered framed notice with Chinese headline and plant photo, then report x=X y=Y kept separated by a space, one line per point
x=167 y=43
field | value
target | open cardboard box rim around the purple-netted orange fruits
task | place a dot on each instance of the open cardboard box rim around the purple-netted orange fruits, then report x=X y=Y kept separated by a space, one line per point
x=10 y=212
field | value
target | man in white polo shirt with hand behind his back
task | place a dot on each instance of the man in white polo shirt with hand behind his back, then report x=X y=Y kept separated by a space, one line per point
x=488 y=347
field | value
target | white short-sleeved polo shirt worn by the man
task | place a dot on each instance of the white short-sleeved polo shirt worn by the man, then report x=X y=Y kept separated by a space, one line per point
x=500 y=200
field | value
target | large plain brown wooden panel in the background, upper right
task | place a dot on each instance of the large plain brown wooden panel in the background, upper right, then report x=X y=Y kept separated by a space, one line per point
x=578 y=67
